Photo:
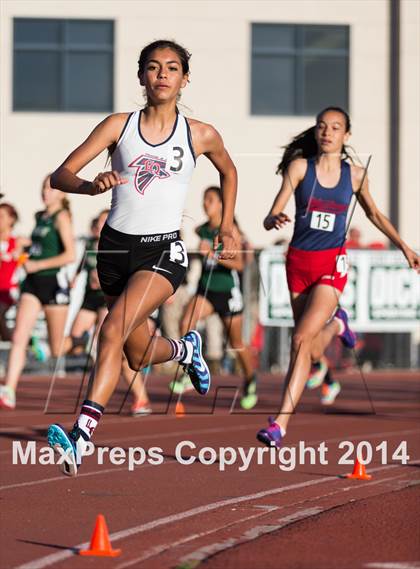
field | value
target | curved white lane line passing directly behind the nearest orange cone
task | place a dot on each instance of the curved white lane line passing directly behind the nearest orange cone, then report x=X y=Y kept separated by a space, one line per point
x=53 y=558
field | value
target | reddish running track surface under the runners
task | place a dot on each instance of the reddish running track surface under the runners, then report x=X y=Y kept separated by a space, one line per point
x=173 y=515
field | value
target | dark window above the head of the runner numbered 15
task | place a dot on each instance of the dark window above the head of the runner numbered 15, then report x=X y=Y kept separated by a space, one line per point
x=298 y=69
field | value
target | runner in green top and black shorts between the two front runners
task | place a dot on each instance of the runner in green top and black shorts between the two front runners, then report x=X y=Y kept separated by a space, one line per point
x=219 y=291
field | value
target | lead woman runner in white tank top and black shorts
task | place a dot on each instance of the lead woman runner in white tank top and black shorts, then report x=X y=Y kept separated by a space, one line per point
x=141 y=258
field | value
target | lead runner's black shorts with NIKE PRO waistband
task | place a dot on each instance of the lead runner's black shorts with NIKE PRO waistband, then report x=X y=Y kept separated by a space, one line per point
x=120 y=255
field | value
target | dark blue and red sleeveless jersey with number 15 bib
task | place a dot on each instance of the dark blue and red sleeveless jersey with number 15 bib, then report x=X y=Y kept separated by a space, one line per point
x=321 y=213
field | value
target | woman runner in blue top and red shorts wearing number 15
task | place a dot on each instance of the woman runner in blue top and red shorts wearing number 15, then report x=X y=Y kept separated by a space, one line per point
x=315 y=168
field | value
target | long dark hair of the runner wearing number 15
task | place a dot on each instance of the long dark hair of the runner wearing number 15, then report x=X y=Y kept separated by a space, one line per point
x=304 y=145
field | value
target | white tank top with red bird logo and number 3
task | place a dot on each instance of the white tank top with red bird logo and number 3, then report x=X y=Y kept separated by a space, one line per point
x=158 y=177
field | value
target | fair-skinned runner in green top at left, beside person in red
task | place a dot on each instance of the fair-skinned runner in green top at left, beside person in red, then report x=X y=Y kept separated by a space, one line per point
x=44 y=288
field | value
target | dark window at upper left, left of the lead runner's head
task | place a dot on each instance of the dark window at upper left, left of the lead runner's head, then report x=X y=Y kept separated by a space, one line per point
x=63 y=65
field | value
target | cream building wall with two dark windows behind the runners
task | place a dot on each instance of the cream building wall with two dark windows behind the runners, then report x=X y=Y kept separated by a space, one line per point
x=218 y=33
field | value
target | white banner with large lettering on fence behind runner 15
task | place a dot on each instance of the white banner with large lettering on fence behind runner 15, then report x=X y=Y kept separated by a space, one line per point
x=382 y=293
